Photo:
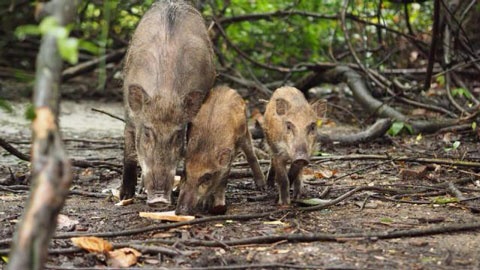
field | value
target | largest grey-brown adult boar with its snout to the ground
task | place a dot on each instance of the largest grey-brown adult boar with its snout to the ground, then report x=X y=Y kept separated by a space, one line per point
x=169 y=69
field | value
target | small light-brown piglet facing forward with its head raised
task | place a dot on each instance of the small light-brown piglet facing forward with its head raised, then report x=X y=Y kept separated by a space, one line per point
x=290 y=126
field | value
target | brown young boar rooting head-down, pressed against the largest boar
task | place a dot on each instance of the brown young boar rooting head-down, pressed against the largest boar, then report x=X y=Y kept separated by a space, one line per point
x=218 y=130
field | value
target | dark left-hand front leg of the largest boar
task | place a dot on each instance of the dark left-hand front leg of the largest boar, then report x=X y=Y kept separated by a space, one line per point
x=129 y=180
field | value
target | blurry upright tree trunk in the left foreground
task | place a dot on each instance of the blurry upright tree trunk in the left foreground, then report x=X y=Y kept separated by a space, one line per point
x=51 y=172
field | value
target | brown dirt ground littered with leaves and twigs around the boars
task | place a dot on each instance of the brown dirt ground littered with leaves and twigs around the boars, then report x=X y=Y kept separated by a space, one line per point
x=97 y=137
